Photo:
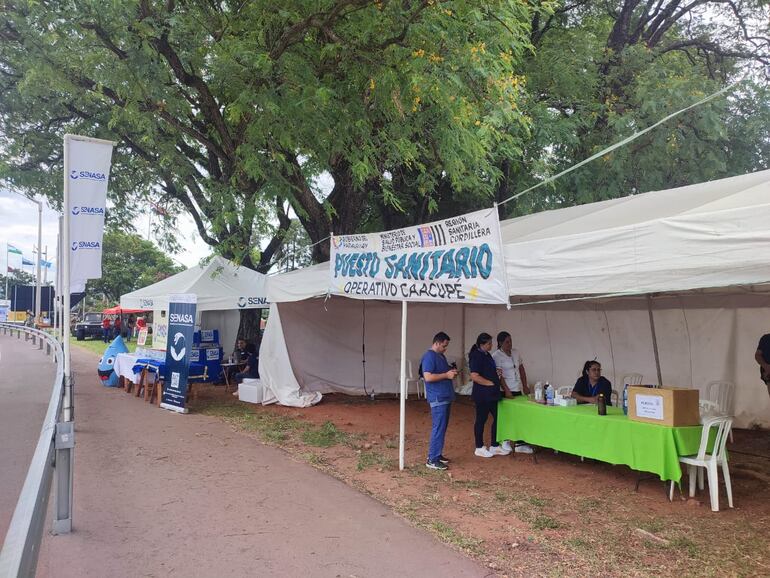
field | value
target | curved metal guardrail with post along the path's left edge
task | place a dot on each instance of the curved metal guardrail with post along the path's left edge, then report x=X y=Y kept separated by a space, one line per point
x=53 y=456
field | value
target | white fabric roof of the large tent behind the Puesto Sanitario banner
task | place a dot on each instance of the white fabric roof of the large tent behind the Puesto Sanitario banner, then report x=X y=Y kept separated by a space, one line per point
x=712 y=234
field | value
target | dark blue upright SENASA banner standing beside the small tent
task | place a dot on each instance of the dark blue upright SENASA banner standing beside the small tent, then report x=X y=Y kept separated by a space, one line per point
x=181 y=325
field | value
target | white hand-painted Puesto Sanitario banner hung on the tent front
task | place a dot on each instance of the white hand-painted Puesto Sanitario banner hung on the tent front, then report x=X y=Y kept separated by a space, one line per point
x=454 y=260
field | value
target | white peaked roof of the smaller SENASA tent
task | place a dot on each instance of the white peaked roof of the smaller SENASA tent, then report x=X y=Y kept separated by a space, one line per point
x=219 y=285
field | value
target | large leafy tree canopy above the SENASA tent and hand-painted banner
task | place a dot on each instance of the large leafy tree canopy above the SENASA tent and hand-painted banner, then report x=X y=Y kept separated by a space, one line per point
x=230 y=110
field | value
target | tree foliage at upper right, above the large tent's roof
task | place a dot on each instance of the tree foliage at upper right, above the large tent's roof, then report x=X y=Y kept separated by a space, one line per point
x=601 y=71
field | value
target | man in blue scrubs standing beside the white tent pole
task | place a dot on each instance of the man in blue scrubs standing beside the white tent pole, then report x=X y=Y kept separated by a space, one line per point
x=440 y=394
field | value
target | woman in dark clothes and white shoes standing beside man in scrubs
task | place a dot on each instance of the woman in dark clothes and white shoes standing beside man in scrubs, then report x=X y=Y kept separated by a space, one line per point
x=486 y=394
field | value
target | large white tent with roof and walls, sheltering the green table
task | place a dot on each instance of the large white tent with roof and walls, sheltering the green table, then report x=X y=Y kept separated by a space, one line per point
x=696 y=256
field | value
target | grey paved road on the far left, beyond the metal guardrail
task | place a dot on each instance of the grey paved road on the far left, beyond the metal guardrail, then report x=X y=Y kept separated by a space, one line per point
x=26 y=377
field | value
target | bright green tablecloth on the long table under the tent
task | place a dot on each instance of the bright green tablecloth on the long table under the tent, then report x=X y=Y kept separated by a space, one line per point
x=611 y=438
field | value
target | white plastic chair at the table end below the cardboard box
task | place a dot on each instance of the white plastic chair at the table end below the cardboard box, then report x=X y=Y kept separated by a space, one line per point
x=709 y=462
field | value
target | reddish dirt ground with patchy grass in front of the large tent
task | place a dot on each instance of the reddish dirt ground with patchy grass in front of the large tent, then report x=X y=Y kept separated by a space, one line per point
x=520 y=517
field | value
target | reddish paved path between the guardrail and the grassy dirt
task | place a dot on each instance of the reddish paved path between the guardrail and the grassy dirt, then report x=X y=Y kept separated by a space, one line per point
x=165 y=494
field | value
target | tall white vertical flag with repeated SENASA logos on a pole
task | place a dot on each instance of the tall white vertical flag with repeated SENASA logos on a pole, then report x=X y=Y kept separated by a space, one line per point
x=89 y=172
